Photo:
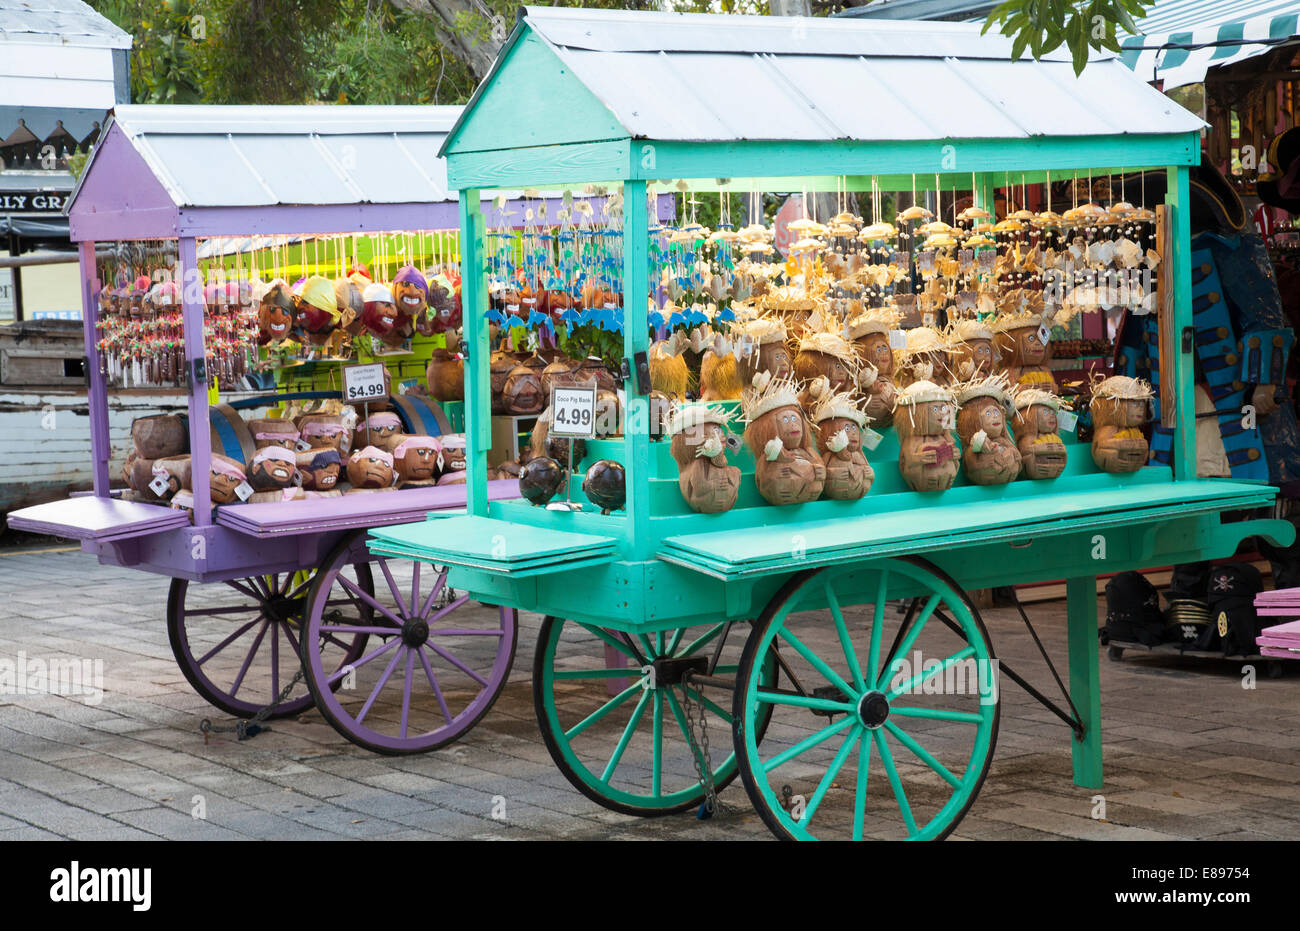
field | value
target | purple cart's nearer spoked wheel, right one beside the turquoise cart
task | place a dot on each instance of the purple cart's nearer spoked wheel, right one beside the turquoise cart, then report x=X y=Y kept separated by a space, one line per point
x=435 y=662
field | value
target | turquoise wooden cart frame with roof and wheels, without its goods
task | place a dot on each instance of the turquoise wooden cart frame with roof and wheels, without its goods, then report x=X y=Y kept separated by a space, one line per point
x=833 y=642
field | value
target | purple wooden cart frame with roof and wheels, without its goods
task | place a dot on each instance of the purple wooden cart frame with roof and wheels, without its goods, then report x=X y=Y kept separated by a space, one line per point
x=385 y=653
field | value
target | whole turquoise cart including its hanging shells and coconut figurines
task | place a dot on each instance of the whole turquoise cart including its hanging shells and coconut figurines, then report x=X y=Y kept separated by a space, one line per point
x=682 y=532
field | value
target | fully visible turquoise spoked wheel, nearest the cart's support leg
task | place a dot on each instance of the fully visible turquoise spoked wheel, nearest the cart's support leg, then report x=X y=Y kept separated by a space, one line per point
x=886 y=722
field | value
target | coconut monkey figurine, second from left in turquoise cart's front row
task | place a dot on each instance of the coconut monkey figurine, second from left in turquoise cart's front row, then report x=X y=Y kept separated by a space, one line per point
x=788 y=470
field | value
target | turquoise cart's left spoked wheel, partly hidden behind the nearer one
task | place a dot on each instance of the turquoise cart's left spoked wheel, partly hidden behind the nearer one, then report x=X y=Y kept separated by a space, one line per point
x=613 y=711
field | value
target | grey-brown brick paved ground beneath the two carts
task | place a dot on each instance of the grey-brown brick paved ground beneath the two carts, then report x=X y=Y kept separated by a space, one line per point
x=1190 y=754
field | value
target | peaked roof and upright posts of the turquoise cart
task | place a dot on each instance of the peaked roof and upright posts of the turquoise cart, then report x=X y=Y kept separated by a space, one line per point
x=749 y=105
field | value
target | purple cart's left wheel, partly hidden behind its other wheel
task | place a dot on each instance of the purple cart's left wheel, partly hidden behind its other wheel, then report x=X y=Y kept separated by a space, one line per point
x=239 y=642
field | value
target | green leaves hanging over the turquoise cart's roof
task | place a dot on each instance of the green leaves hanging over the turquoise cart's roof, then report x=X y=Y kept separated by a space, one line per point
x=1042 y=27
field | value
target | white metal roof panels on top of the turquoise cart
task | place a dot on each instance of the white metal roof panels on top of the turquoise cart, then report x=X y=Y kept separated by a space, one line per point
x=714 y=77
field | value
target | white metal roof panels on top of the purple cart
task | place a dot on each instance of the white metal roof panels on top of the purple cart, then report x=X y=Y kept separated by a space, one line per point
x=253 y=157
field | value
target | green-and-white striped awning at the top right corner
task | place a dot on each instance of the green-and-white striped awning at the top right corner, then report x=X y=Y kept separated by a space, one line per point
x=1182 y=40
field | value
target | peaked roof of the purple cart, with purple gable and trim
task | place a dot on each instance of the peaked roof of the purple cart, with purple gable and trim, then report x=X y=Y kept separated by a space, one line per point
x=170 y=171
